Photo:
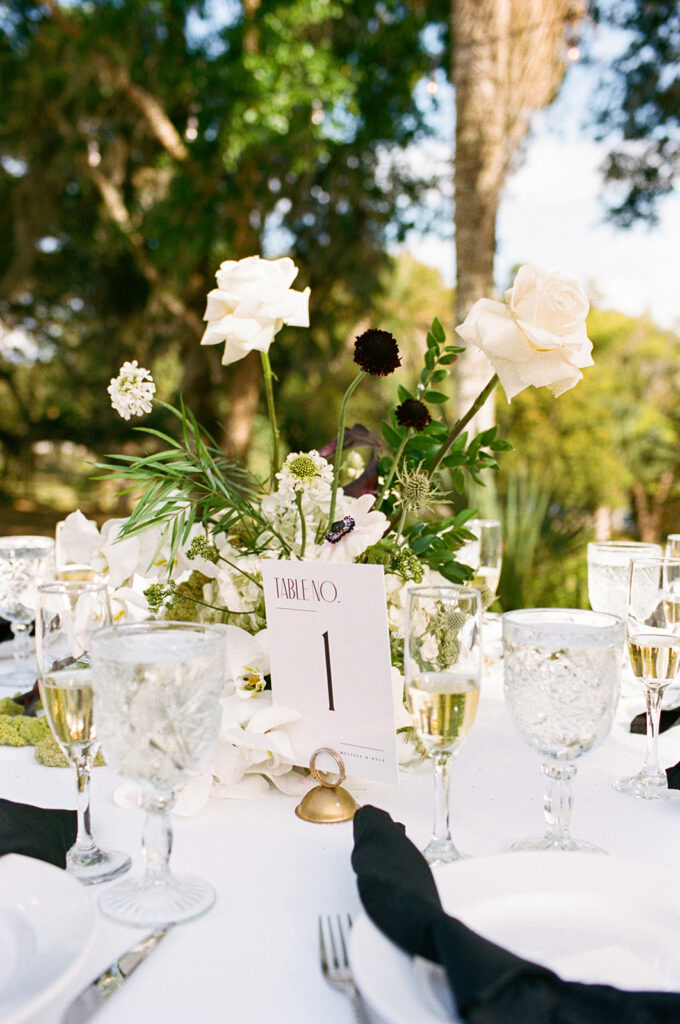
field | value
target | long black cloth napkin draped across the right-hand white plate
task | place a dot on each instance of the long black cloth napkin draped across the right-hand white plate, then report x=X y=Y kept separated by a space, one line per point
x=491 y=985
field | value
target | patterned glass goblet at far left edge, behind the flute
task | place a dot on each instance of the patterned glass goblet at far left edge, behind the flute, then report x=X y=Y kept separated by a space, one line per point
x=25 y=564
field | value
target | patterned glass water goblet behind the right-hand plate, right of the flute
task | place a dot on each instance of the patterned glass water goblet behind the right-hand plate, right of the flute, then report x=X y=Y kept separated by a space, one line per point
x=563 y=676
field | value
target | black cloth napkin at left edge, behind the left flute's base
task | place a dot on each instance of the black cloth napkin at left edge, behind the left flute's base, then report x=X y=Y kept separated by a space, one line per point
x=37 y=832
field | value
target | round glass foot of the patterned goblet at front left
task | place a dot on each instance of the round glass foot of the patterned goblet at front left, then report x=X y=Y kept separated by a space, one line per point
x=144 y=905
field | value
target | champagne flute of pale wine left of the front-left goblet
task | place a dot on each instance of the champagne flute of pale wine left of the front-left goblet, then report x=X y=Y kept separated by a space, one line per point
x=68 y=614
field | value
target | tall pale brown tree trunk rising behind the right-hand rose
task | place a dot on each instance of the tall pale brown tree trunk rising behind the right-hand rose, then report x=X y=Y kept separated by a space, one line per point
x=508 y=61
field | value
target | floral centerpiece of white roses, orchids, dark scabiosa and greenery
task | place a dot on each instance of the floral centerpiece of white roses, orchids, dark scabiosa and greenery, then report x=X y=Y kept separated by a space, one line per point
x=193 y=547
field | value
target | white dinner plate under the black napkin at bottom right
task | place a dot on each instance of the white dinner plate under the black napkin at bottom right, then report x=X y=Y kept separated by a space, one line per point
x=588 y=917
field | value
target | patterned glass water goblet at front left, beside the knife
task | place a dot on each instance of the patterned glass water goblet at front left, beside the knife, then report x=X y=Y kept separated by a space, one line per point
x=157 y=688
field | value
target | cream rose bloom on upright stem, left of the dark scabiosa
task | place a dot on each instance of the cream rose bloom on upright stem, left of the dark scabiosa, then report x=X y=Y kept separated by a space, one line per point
x=251 y=304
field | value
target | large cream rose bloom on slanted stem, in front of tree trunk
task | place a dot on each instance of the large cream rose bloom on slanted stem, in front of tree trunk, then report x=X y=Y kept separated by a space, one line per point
x=539 y=338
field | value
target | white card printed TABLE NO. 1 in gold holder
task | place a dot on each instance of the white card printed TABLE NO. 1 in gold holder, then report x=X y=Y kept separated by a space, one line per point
x=329 y=649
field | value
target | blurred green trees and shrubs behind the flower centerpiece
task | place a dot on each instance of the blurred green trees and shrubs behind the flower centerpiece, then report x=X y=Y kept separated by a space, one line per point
x=143 y=143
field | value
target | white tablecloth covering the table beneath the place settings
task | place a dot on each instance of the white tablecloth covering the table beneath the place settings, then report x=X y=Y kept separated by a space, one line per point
x=253 y=959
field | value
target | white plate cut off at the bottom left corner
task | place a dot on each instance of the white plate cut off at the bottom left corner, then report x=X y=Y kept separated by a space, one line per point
x=48 y=927
